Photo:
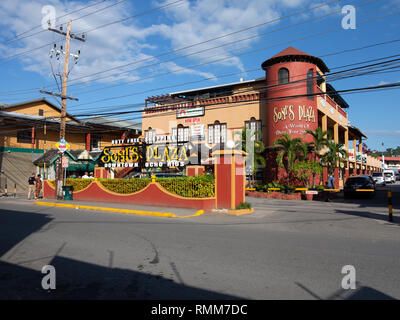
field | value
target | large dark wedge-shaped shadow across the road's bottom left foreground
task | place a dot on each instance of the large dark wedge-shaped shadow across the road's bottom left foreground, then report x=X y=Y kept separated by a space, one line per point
x=77 y=280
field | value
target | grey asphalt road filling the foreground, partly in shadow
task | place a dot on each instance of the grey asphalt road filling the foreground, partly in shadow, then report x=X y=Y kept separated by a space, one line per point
x=285 y=250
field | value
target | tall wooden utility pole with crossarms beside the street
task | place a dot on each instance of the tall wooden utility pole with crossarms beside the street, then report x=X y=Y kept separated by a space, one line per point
x=64 y=97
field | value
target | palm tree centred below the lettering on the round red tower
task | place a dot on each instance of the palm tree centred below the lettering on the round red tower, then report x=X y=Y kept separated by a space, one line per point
x=291 y=148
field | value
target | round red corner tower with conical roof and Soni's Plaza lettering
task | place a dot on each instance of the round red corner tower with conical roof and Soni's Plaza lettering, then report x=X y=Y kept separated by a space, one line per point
x=292 y=74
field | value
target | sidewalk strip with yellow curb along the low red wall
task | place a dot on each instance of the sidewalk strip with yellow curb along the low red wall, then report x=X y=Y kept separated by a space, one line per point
x=168 y=212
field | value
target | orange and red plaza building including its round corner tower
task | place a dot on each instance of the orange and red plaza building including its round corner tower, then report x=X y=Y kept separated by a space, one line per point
x=294 y=96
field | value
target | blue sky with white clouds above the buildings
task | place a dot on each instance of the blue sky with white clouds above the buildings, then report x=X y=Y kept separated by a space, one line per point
x=135 y=49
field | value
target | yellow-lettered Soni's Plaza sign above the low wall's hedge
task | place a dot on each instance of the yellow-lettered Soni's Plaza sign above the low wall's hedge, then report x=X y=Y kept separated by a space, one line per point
x=143 y=155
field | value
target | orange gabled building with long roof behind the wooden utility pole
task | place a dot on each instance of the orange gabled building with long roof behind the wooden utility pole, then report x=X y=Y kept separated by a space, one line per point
x=31 y=128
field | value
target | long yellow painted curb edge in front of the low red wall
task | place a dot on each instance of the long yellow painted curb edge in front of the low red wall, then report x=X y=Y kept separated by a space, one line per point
x=127 y=211
